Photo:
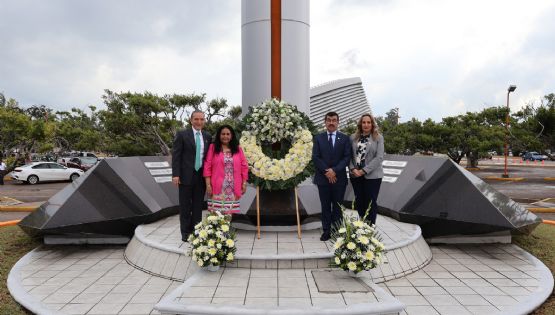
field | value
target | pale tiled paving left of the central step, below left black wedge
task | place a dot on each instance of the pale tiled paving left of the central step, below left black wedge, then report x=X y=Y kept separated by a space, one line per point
x=72 y=280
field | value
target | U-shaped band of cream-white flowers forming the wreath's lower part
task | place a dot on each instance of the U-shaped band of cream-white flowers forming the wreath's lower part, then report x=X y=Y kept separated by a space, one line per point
x=292 y=164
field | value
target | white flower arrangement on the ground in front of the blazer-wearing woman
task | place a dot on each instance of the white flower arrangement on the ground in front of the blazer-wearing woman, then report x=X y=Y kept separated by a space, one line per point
x=357 y=245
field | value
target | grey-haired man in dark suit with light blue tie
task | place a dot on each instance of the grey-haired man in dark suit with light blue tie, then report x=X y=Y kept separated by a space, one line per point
x=189 y=149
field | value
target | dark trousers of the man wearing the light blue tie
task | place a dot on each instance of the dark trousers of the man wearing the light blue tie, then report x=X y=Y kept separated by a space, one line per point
x=191 y=198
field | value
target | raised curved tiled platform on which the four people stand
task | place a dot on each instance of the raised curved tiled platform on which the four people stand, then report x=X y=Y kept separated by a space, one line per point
x=157 y=249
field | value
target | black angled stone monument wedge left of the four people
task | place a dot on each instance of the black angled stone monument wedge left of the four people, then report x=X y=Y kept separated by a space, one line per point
x=111 y=199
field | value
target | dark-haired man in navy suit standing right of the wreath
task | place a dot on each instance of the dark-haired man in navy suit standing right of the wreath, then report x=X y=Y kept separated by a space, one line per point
x=331 y=154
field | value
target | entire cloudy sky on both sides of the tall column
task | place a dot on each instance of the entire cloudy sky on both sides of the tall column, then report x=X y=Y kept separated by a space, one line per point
x=429 y=58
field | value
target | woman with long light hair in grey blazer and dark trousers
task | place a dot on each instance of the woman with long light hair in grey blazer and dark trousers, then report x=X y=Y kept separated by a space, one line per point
x=366 y=171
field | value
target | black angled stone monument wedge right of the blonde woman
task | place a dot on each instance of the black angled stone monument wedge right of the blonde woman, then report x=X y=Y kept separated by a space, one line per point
x=445 y=199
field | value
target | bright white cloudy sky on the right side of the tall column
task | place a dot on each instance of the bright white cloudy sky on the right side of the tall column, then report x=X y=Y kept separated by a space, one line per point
x=429 y=57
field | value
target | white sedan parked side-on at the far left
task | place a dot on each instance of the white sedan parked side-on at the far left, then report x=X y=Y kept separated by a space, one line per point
x=45 y=171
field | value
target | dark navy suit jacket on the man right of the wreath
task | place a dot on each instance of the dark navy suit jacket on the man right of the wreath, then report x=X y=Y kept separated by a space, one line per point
x=324 y=157
